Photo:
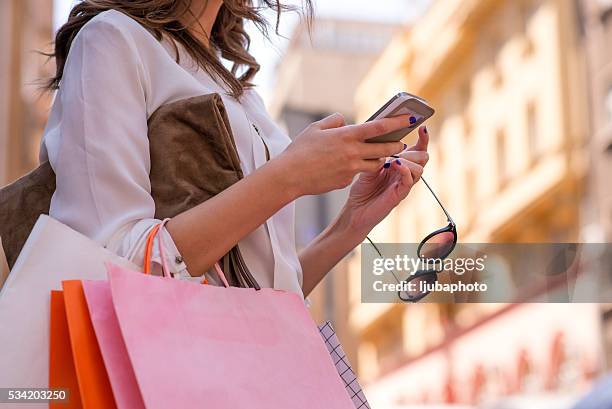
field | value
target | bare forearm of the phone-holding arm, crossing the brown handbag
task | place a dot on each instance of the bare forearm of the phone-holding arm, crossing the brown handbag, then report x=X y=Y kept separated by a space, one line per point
x=206 y=232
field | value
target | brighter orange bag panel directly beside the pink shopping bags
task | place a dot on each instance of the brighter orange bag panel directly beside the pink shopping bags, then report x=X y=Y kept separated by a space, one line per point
x=94 y=386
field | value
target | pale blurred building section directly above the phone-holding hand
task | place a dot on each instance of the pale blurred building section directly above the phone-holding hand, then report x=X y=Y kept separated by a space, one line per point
x=320 y=69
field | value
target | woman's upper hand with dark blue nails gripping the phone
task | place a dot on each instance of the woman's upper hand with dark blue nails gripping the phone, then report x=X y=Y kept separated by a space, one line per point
x=328 y=154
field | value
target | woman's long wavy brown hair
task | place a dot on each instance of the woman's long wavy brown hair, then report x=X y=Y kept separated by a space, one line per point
x=228 y=36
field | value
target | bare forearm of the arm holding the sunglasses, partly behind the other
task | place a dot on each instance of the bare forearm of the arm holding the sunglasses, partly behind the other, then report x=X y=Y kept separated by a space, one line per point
x=327 y=249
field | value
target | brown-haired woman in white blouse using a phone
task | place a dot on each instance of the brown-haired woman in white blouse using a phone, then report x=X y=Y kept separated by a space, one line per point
x=119 y=60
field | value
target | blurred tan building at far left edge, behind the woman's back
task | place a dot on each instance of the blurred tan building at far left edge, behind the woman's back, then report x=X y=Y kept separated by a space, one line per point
x=25 y=28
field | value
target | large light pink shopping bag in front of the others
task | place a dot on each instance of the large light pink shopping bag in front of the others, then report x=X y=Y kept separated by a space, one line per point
x=194 y=346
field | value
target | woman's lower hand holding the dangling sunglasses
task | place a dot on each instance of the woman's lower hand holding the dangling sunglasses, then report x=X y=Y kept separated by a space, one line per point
x=377 y=192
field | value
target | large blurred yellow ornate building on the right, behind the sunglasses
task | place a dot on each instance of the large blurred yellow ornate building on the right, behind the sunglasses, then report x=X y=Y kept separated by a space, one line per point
x=509 y=158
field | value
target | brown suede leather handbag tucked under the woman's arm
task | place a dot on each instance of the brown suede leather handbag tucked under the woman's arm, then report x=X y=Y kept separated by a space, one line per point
x=193 y=157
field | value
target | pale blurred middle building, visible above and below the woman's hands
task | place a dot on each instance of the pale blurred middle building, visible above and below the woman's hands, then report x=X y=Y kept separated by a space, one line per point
x=318 y=76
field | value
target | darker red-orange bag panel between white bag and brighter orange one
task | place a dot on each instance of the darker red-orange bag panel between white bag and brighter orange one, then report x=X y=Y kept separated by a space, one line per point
x=62 y=373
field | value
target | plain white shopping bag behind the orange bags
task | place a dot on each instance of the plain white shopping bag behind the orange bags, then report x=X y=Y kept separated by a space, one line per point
x=52 y=253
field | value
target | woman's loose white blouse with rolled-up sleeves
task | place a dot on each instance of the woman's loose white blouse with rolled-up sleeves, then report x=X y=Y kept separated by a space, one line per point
x=116 y=75
